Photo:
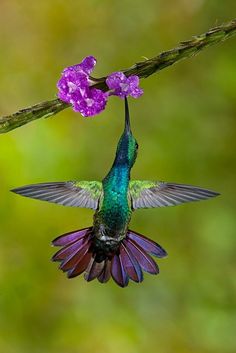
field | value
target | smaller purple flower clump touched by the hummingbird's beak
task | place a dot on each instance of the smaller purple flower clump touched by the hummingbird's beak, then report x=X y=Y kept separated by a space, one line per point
x=123 y=86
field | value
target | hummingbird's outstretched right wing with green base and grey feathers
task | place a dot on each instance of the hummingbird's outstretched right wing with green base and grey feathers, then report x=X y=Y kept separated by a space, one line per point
x=150 y=194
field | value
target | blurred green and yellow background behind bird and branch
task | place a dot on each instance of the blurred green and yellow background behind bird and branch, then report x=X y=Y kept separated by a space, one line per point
x=186 y=127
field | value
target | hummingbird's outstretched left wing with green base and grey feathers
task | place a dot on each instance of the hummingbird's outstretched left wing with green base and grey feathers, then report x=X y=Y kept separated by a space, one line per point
x=70 y=193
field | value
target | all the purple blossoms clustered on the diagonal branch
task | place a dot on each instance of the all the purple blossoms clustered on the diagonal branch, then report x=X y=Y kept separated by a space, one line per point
x=75 y=88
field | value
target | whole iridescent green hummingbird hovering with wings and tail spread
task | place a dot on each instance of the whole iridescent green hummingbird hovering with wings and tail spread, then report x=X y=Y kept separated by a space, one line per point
x=109 y=248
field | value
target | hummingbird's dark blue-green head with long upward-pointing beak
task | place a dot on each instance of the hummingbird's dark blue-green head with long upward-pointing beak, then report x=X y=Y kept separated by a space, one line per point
x=127 y=147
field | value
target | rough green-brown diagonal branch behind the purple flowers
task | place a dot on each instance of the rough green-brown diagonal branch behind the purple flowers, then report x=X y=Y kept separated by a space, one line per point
x=142 y=69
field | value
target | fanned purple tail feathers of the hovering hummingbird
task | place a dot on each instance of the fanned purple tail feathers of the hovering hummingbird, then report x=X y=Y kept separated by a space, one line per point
x=128 y=263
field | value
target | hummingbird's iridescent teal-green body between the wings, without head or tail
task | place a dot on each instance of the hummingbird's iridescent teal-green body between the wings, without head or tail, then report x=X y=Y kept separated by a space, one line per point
x=112 y=219
